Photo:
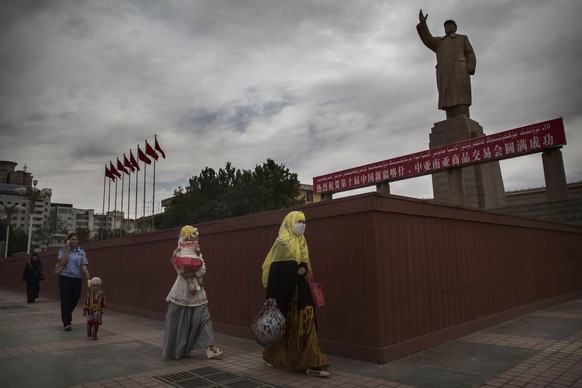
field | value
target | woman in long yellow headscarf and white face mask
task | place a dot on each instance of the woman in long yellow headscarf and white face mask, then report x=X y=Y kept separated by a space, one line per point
x=284 y=271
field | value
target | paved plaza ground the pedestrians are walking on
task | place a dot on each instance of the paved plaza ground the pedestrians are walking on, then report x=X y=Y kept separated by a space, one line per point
x=541 y=349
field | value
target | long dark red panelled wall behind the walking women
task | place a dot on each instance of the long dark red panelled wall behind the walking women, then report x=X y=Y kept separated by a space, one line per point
x=399 y=275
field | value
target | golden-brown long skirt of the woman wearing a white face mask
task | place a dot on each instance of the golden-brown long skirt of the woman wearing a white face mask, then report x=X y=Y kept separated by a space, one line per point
x=298 y=349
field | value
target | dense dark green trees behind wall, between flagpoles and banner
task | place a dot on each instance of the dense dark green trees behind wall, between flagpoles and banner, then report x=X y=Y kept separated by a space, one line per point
x=230 y=192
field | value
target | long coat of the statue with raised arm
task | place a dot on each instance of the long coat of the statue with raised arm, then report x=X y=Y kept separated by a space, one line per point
x=454 y=55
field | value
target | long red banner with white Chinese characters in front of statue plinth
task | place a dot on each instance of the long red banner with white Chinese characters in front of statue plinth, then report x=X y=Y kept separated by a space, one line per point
x=515 y=142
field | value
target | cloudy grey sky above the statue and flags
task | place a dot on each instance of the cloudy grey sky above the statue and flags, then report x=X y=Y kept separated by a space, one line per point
x=318 y=86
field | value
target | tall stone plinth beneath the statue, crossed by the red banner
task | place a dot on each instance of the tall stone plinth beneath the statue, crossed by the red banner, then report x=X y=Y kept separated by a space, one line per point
x=479 y=186
